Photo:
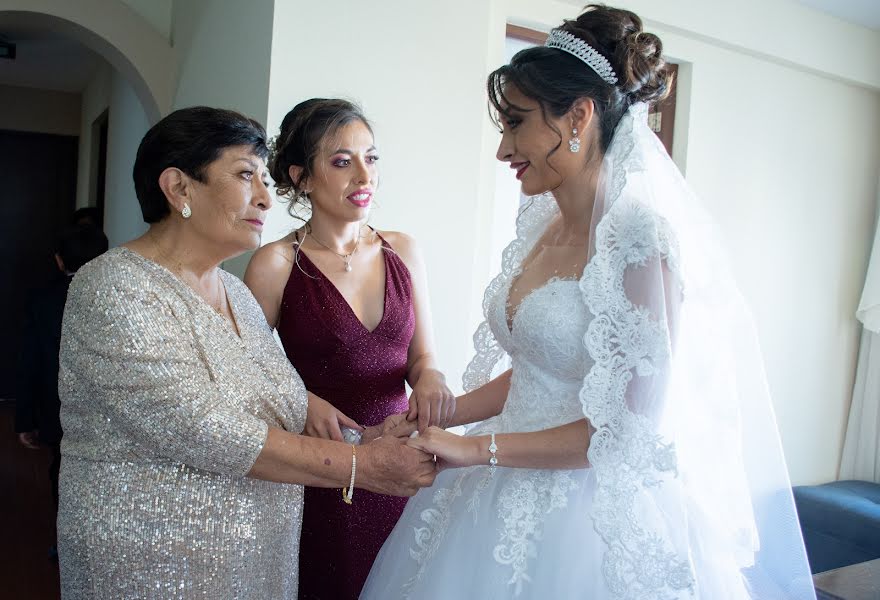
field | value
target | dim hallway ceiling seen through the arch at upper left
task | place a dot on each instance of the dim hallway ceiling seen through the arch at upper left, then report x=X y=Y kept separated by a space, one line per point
x=46 y=60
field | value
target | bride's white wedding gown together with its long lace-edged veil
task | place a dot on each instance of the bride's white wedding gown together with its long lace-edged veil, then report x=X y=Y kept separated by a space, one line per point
x=687 y=494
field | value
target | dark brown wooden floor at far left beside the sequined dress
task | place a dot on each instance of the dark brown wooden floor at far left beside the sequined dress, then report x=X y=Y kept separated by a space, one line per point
x=26 y=513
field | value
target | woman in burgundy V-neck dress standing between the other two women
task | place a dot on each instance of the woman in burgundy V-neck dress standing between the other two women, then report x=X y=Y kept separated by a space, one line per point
x=351 y=308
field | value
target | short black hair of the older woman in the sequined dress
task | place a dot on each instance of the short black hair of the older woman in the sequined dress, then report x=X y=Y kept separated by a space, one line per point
x=189 y=139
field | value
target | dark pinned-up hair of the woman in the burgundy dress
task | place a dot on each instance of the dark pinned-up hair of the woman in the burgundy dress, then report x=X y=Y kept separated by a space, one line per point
x=303 y=130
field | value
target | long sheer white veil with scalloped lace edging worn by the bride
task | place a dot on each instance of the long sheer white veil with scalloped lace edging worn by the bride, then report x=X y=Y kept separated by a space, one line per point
x=692 y=494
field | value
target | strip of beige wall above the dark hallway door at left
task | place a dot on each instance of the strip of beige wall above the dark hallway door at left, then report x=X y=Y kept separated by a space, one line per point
x=43 y=111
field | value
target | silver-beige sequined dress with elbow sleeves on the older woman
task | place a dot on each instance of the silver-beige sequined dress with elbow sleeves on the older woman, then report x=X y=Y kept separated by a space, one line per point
x=165 y=409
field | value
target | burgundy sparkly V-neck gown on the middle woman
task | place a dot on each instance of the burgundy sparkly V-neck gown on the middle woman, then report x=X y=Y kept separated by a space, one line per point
x=362 y=374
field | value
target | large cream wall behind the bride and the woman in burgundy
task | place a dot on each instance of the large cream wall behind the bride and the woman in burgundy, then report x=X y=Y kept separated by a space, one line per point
x=782 y=145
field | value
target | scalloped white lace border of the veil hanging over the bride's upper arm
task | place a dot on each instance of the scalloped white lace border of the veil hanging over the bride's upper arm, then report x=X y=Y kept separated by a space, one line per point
x=632 y=288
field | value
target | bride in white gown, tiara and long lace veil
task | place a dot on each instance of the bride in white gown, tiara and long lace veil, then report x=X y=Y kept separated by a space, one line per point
x=631 y=450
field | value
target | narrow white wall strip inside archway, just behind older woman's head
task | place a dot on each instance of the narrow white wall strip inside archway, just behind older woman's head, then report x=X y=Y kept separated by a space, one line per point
x=127 y=125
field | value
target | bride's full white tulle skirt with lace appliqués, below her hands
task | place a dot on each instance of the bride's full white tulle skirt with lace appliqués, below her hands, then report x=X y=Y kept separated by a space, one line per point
x=519 y=533
